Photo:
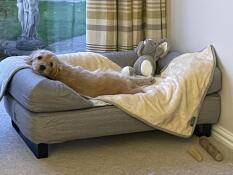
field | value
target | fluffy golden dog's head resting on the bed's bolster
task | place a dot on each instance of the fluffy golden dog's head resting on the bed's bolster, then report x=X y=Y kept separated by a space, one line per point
x=44 y=62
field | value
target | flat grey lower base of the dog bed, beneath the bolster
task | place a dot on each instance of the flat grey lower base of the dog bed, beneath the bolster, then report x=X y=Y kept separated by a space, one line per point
x=85 y=123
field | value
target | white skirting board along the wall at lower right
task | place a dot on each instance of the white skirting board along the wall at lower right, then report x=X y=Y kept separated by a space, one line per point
x=223 y=135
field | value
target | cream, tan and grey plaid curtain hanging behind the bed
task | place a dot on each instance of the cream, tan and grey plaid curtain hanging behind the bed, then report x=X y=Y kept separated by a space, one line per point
x=114 y=25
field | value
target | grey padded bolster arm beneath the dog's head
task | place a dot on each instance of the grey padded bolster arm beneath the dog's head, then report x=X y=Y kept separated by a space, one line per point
x=39 y=94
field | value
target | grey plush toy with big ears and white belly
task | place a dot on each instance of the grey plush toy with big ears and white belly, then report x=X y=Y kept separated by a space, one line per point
x=149 y=52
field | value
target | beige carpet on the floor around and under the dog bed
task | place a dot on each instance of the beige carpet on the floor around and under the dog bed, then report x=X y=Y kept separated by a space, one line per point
x=149 y=153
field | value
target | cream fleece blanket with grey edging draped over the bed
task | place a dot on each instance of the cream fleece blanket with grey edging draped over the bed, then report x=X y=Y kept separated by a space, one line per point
x=171 y=104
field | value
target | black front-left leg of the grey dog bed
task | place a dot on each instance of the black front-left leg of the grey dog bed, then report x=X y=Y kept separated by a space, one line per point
x=39 y=150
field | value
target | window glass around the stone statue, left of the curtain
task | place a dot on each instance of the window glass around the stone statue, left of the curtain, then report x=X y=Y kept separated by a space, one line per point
x=62 y=25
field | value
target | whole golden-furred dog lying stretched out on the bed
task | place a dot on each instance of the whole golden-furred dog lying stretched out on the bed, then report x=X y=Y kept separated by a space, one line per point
x=83 y=81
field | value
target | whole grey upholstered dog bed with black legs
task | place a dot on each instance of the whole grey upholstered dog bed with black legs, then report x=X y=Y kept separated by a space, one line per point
x=45 y=111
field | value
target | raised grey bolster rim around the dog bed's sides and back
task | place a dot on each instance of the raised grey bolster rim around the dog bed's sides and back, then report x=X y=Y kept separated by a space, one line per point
x=39 y=94
